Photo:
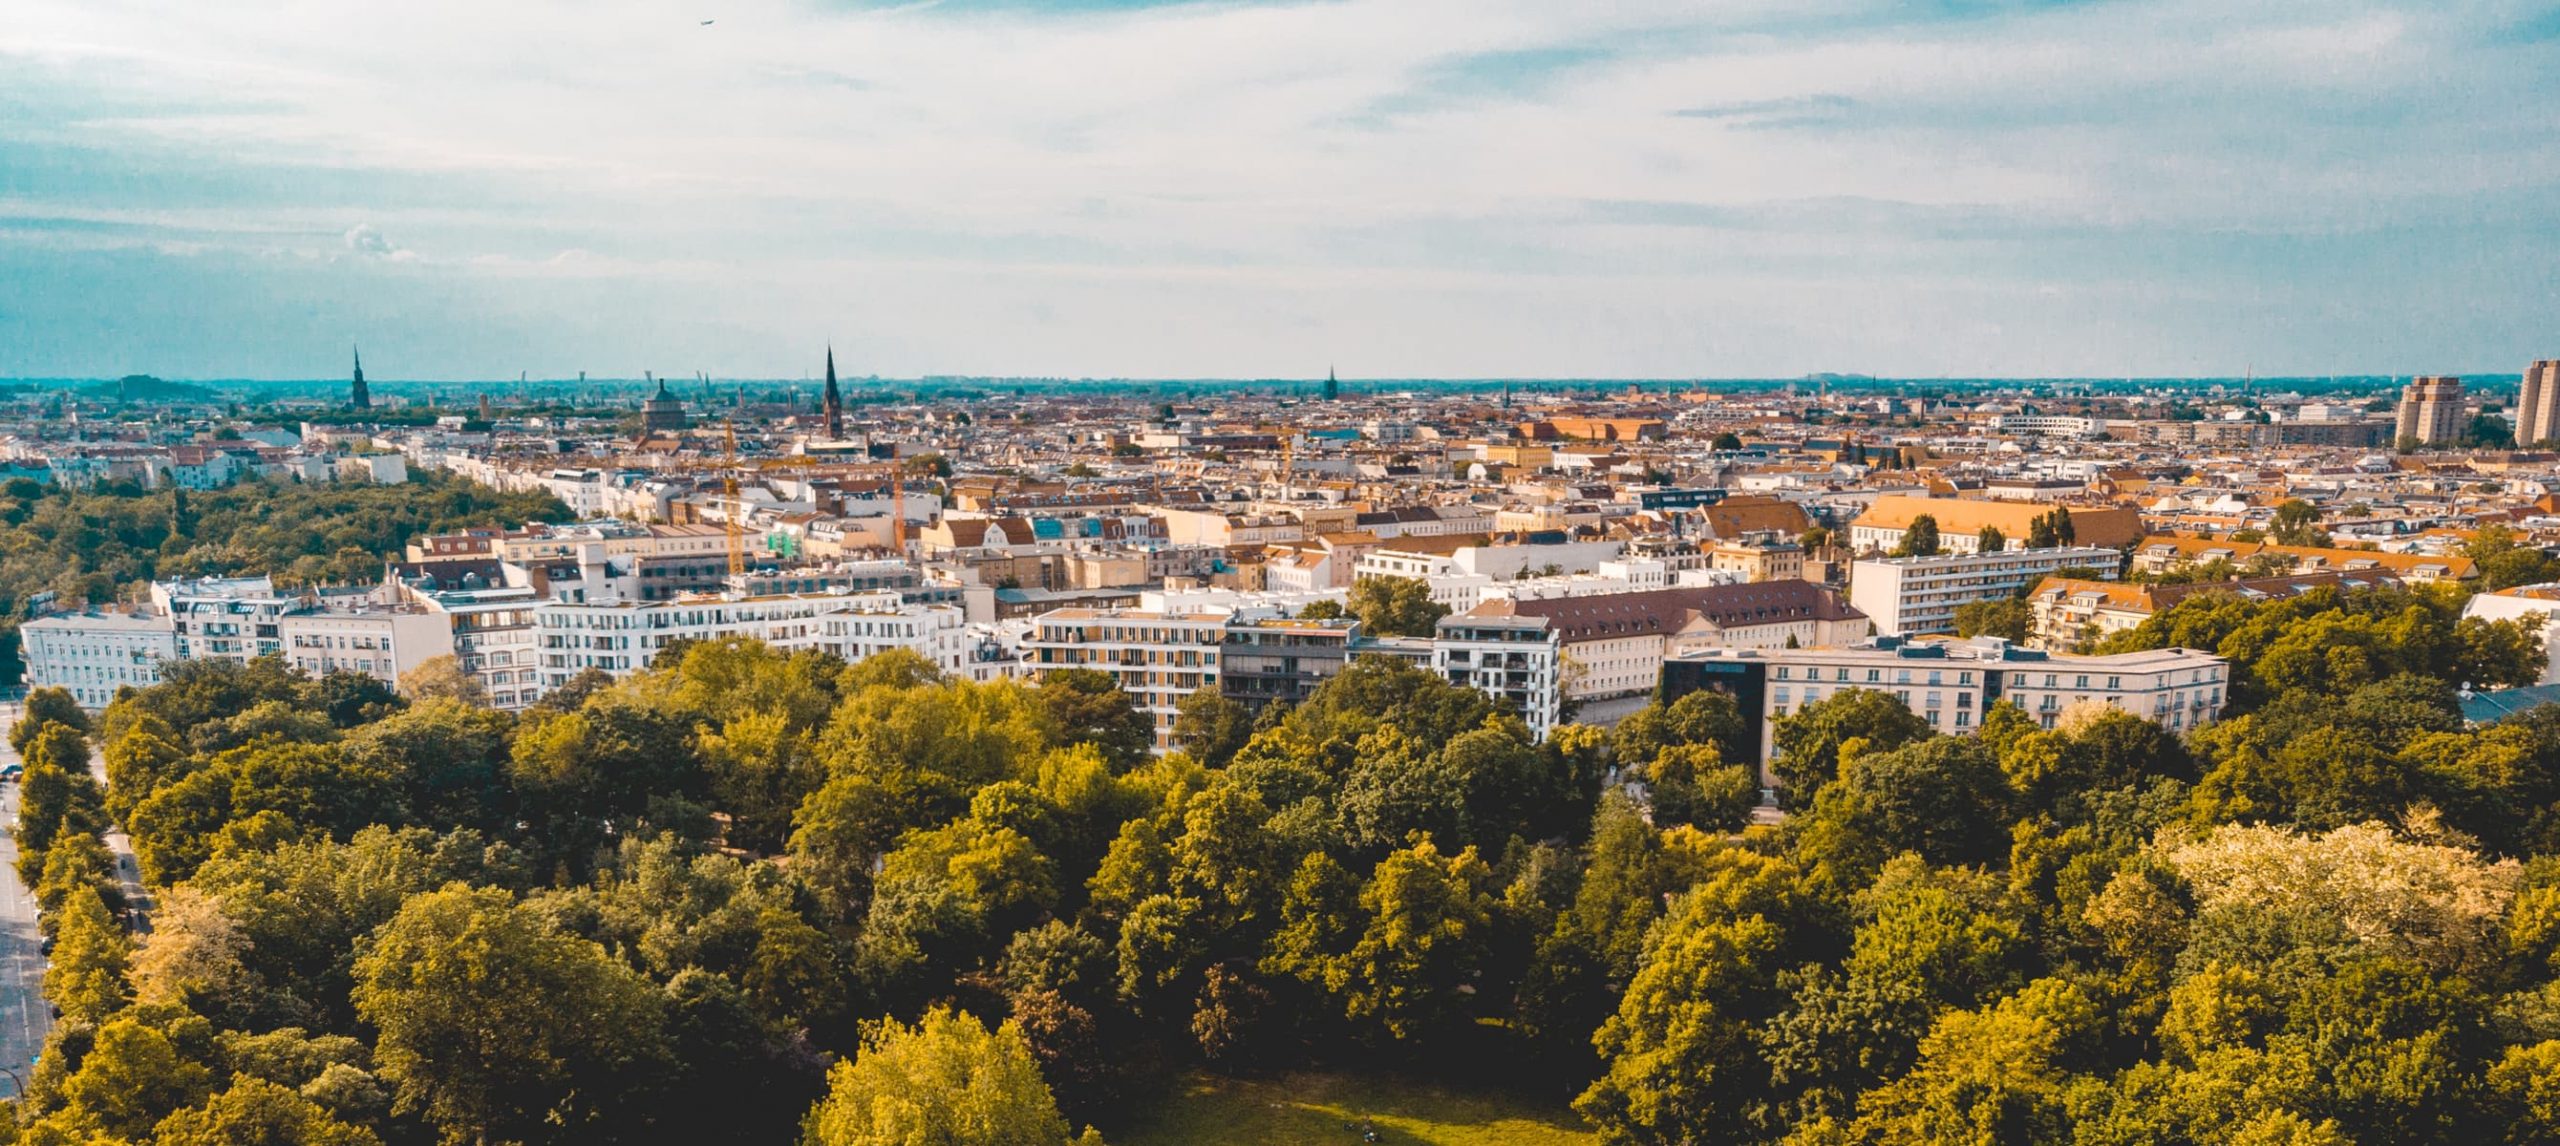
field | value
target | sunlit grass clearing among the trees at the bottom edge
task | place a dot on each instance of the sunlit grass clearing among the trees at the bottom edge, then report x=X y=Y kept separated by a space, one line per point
x=1312 y=1111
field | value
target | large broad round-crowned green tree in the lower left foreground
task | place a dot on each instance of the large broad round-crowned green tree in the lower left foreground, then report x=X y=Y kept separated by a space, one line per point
x=498 y=1027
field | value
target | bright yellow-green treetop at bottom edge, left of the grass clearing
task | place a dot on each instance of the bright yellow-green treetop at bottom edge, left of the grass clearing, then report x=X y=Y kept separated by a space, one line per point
x=943 y=1081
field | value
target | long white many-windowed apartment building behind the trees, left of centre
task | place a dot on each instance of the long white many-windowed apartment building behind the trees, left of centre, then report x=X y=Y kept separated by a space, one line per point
x=626 y=636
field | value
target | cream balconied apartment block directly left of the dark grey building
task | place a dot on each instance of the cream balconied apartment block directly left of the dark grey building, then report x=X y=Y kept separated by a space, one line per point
x=1156 y=656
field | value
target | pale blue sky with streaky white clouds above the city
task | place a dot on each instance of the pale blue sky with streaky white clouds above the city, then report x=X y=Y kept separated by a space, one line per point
x=1263 y=191
